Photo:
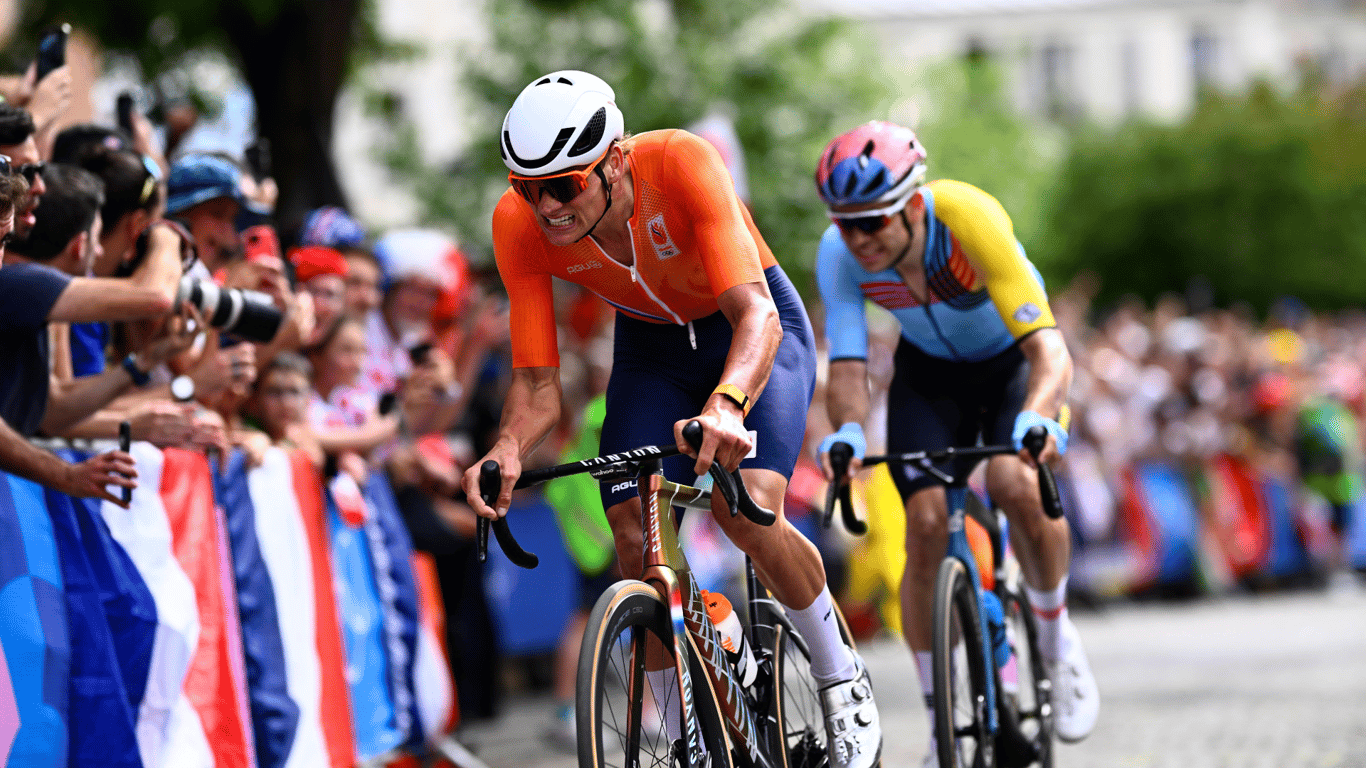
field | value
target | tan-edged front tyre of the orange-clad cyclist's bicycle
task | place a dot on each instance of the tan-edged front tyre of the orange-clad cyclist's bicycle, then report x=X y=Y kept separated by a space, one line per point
x=629 y=605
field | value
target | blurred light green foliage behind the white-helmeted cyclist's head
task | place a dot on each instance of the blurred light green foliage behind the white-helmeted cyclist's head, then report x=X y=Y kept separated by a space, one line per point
x=790 y=83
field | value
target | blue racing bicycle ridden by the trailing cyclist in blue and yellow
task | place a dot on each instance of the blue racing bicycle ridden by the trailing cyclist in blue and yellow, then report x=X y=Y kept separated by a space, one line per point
x=983 y=718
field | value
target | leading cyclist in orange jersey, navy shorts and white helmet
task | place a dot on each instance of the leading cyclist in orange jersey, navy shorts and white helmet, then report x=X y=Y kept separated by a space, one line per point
x=708 y=327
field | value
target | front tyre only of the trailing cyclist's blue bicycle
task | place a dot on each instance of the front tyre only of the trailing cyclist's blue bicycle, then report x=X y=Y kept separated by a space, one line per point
x=954 y=596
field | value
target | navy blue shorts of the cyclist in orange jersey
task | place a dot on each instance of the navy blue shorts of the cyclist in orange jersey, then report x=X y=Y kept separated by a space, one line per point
x=659 y=378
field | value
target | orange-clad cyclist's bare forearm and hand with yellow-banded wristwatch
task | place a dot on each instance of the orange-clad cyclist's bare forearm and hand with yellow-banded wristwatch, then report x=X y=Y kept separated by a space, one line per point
x=756 y=335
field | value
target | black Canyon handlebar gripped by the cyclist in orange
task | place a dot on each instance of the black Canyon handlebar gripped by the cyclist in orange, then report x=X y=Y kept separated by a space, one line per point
x=491 y=483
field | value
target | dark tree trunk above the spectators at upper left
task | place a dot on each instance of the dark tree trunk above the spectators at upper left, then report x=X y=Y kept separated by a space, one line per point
x=296 y=66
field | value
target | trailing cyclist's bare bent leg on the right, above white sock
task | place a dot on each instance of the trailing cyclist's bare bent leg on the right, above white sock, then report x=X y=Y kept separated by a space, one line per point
x=1043 y=546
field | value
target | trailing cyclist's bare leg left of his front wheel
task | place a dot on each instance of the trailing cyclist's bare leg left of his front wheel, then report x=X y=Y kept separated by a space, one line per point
x=927 y=539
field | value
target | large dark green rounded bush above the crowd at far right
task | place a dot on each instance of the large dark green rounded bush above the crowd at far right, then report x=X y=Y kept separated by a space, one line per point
x=1262 y=195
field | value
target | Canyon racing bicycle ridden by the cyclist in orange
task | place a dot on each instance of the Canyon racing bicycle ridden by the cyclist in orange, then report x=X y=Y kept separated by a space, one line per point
x=660 y=620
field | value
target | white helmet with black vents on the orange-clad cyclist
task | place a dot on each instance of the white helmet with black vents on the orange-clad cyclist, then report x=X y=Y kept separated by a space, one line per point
x=562 y=121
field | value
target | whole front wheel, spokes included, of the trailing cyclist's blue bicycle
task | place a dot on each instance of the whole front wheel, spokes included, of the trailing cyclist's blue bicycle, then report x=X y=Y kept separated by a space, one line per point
x=961 y=730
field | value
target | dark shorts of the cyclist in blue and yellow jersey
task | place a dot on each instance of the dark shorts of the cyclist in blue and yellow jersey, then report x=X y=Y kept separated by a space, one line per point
x=938 y=404
